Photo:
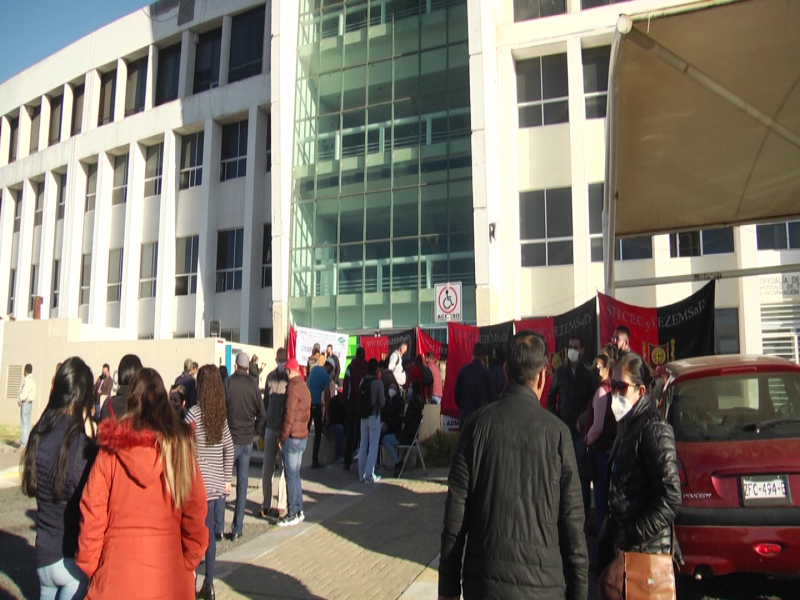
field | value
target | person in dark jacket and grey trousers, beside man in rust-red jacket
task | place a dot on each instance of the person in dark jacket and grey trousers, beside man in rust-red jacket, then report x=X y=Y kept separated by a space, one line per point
x=274 y=403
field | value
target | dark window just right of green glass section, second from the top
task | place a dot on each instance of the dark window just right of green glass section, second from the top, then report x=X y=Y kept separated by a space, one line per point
x=542 y=91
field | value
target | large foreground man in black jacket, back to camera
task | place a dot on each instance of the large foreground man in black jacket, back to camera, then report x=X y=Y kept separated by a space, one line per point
x=514 y=496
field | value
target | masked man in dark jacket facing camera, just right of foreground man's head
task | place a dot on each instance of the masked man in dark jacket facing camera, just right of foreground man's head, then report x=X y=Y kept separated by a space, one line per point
x=570 y=393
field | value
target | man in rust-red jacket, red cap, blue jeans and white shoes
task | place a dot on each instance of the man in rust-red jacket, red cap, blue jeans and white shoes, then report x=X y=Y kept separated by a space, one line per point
x=293 y=438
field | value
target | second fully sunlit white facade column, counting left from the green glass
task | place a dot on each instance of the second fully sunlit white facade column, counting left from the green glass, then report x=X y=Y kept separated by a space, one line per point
x=132 y=255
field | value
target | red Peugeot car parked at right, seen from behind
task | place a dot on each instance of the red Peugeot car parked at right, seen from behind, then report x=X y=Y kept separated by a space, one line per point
x=737 y=427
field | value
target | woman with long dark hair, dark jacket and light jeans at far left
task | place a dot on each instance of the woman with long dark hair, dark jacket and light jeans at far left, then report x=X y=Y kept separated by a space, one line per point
x=57 y=460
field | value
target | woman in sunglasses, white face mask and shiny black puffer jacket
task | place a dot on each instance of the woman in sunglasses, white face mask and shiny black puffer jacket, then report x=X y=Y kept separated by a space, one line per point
x=644 y=484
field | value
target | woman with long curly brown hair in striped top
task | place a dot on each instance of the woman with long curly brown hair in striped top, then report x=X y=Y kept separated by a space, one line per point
x=215 y=457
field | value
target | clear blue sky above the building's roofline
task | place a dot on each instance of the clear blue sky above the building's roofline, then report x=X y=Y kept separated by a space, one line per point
x=35 y=29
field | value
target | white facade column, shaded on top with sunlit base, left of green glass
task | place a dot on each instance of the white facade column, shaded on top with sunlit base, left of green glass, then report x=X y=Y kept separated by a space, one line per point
x=207 y=261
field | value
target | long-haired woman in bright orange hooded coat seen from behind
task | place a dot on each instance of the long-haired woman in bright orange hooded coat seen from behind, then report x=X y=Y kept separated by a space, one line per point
x=144 y=506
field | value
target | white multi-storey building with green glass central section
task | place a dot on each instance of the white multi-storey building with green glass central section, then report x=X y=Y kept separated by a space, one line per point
x=327 y=164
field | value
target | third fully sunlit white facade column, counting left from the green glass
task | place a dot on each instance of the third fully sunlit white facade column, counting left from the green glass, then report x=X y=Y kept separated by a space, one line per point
x=101 y=240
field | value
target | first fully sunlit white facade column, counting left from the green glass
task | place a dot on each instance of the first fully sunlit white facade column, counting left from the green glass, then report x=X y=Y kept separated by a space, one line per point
x=165 y=288
